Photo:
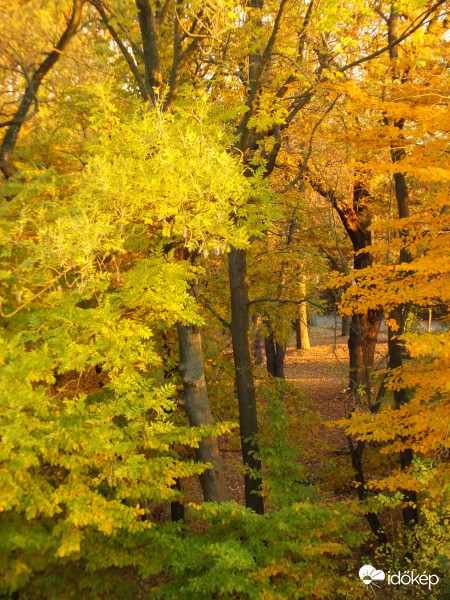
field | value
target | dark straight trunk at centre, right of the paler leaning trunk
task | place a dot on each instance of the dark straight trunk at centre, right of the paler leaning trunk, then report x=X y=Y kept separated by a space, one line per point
x=245 y=385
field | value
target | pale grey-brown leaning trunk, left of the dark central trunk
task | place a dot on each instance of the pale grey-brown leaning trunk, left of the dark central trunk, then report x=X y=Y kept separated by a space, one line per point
x=196 y=405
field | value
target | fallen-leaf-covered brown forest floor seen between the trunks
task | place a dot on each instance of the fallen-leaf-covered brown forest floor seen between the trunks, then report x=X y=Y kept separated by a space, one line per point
x=321 y=374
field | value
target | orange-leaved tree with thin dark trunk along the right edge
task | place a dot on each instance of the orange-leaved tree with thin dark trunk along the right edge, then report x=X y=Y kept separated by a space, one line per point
x=404 y=254
